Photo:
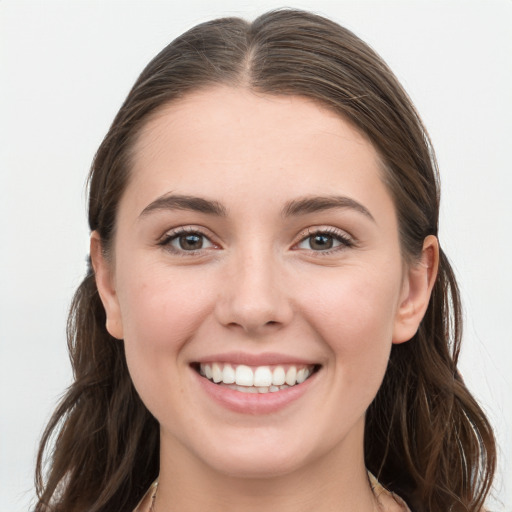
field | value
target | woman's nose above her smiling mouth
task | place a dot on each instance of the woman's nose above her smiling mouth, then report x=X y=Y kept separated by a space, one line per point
x=253 y=296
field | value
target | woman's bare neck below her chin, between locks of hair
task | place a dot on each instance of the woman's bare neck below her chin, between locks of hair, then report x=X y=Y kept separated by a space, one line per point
x=335 y=481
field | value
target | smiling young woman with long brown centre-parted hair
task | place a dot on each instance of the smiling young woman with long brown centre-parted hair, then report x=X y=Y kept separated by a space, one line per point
x=268 y=321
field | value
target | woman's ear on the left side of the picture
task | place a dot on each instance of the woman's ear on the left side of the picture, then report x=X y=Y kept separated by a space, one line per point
x=103 y=272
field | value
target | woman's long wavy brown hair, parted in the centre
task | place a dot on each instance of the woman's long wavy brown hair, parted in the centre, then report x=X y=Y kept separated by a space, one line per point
x=426 y=438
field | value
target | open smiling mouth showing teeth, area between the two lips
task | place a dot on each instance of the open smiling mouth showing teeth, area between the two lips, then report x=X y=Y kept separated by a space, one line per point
x=258 y=379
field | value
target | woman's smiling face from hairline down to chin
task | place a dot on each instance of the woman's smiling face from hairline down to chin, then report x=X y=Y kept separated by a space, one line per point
x=256 y=243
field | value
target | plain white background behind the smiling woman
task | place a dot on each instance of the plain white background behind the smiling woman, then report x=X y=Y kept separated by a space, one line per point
x=65 y=68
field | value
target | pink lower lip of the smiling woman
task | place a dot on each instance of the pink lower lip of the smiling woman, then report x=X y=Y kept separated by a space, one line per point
x=254 y=403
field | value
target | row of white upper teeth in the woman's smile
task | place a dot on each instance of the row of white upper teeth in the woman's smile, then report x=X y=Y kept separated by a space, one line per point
x=260 y=376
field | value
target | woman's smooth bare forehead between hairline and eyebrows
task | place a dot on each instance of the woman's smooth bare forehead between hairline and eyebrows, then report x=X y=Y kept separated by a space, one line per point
x=225 y=140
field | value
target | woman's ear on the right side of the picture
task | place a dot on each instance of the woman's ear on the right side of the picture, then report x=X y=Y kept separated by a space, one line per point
x=416 y=290
